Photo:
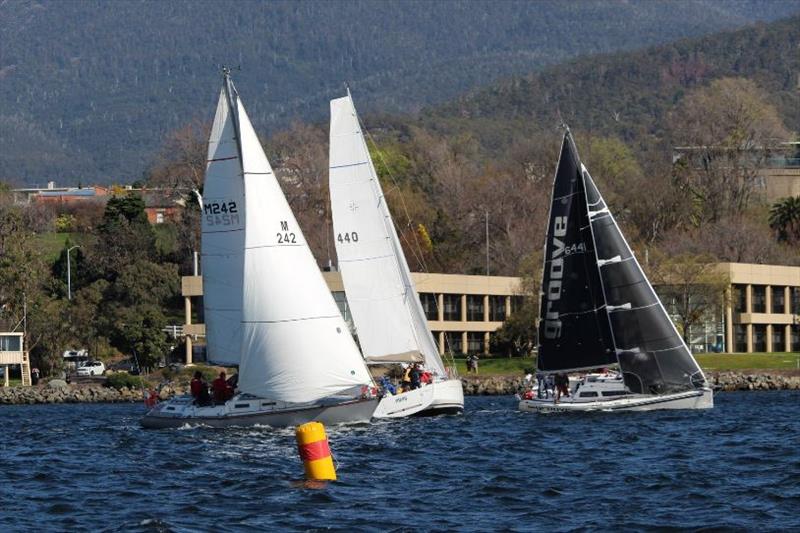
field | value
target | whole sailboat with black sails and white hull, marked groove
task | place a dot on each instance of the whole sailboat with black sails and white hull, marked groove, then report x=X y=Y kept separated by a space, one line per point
x=598 y=309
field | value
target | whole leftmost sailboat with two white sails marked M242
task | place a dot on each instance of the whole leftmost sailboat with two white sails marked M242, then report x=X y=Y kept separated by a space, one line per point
x=268 y=309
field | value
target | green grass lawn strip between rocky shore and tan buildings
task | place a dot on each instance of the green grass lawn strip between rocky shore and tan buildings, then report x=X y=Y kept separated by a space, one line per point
x=515 y=366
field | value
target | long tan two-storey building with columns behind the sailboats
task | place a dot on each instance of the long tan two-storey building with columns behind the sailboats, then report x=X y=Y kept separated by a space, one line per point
x=762 y=314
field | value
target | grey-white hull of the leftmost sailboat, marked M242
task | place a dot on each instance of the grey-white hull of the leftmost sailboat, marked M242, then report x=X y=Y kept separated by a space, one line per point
x=180 y=412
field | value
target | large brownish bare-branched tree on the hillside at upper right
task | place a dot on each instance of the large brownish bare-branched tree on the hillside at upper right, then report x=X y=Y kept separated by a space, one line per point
x=726 y=131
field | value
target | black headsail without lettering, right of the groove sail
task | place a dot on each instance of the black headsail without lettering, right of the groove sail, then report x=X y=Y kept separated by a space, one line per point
x=652 y=355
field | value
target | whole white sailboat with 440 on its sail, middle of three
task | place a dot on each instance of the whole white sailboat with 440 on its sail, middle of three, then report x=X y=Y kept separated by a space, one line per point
x=387 y=313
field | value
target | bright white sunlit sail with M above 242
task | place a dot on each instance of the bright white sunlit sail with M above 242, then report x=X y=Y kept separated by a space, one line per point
x=295 y=346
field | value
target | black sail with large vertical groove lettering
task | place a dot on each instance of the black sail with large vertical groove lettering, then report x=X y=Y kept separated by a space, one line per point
x=574 y=331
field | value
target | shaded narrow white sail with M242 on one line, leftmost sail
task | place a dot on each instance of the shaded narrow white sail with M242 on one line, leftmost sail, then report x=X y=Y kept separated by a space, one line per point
x=222 y=234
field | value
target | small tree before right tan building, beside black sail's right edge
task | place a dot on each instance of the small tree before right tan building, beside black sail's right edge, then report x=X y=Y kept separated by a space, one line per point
x=694 y=285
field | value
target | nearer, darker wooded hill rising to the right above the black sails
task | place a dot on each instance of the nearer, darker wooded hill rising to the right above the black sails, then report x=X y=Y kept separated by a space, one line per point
x=629 y=95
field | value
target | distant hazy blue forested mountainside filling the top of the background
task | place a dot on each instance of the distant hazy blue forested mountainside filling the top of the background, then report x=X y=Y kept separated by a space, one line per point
x=89 y=89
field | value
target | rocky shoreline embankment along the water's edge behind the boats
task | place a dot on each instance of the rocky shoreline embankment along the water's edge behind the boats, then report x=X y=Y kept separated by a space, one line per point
x=473 y=386
